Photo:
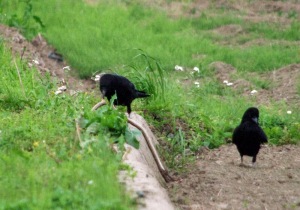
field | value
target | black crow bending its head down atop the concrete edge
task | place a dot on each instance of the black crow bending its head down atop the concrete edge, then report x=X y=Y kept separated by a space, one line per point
x=111 y=84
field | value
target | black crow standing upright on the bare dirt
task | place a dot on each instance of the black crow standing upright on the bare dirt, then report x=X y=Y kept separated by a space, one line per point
x=248 y=136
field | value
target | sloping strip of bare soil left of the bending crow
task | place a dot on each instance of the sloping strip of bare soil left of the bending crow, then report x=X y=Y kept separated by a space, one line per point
x=36 y=53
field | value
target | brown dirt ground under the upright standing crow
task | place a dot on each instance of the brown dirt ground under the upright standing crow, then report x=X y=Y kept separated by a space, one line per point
x=217 y=181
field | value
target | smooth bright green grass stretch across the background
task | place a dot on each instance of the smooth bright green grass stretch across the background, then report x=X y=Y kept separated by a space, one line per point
x=101 y=36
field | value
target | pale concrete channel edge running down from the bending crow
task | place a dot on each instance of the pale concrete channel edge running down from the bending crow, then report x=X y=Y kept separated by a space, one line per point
x=149 y=180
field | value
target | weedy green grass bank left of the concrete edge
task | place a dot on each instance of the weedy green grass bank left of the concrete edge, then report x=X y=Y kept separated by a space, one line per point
x=43 y=165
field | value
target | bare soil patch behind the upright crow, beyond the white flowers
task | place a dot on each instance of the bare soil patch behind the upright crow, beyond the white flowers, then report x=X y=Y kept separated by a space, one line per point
x=283 y=83
